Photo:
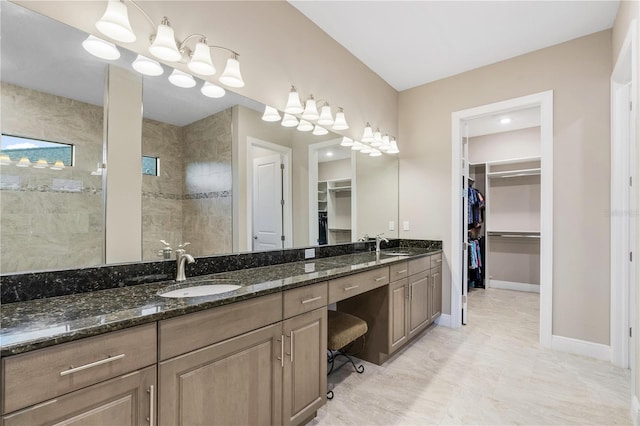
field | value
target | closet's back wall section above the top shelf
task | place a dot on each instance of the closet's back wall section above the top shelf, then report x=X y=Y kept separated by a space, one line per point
x=505 y=145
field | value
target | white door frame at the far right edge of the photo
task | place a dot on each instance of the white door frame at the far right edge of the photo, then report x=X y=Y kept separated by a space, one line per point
x=623 y=131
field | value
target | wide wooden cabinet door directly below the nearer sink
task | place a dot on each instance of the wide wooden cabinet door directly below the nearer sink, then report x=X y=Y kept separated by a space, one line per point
x=234 y=382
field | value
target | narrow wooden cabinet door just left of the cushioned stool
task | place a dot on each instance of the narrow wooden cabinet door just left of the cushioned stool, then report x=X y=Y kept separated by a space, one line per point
x=305 y=366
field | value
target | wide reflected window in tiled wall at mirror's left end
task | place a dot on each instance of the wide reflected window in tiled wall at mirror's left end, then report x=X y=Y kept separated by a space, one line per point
x=16 y=148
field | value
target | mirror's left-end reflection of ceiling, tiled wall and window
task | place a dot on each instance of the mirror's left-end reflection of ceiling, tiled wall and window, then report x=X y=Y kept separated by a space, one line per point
x=52 y=208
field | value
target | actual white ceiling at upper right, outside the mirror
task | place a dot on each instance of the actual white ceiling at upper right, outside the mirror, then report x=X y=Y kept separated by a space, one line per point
x=410 y=43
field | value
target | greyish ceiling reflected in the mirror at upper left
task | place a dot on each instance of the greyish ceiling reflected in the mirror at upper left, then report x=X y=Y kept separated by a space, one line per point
x=45 y=55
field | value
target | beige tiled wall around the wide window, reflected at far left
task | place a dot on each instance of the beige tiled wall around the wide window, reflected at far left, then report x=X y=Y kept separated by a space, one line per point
x=41 y=227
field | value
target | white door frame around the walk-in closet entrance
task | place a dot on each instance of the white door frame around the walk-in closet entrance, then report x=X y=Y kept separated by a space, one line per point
x=544 y=100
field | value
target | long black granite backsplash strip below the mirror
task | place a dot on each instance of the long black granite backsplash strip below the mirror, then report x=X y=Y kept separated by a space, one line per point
x=42 y=284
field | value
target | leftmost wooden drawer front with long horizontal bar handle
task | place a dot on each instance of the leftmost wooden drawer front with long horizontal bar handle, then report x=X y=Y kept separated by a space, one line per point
x=46 y=373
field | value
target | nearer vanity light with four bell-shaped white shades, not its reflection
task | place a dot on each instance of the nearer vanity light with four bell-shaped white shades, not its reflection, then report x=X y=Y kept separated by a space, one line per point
x=115 y=24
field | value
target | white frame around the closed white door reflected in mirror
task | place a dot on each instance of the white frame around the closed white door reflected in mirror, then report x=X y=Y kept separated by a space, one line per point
x=287 y=193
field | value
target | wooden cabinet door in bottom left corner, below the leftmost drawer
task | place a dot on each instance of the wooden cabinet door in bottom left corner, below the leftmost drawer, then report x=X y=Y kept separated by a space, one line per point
x=125 y=400
